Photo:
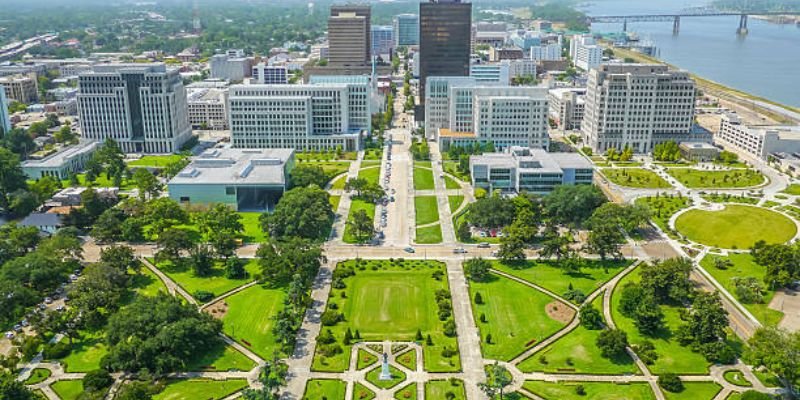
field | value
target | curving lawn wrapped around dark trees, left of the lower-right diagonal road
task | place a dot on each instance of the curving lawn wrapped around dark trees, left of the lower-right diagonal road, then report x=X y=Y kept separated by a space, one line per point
x=672 y=357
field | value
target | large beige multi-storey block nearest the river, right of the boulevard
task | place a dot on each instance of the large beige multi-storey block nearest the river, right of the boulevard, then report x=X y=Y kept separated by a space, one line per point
x=639 y=105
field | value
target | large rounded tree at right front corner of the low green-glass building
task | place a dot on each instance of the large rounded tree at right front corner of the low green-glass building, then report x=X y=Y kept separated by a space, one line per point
x=303 y=211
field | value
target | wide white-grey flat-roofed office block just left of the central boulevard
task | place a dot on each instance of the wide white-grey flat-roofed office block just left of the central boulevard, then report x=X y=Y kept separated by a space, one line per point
x=329 y=112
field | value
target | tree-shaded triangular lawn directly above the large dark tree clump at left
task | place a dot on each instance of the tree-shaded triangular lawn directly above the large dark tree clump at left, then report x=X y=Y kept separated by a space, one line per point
x=216 y=282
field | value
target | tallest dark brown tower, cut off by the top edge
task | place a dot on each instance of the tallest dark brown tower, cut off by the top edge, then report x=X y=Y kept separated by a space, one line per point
x=445 y=28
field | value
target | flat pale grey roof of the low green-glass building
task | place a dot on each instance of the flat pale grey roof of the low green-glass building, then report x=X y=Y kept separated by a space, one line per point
x=236 y=167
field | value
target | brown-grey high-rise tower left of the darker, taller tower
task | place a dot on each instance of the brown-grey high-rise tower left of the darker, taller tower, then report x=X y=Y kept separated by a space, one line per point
x=349 y=31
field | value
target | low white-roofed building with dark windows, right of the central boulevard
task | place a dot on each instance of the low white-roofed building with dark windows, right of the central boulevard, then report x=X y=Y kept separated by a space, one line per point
x=533 y=170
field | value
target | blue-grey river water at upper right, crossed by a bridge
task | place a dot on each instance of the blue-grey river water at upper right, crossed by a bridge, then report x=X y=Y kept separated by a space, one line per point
x=766 y=62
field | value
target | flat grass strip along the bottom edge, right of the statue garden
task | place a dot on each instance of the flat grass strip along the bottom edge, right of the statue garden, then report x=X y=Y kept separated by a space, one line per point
x=594 y=390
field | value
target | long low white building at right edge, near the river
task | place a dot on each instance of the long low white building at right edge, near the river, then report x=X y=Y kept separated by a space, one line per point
x=758 y=140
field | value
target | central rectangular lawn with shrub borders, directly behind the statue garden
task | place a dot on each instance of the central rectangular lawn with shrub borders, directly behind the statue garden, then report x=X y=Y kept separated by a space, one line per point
x=386 y=301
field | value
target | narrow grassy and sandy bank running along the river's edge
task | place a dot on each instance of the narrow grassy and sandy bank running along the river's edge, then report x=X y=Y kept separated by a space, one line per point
x=780 y=113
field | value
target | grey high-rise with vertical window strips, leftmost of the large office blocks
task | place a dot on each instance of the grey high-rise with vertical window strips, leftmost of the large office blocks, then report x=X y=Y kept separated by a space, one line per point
x=141 y=106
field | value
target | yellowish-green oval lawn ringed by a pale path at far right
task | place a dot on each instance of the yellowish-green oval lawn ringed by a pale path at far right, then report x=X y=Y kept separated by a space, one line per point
x=735 y=227
